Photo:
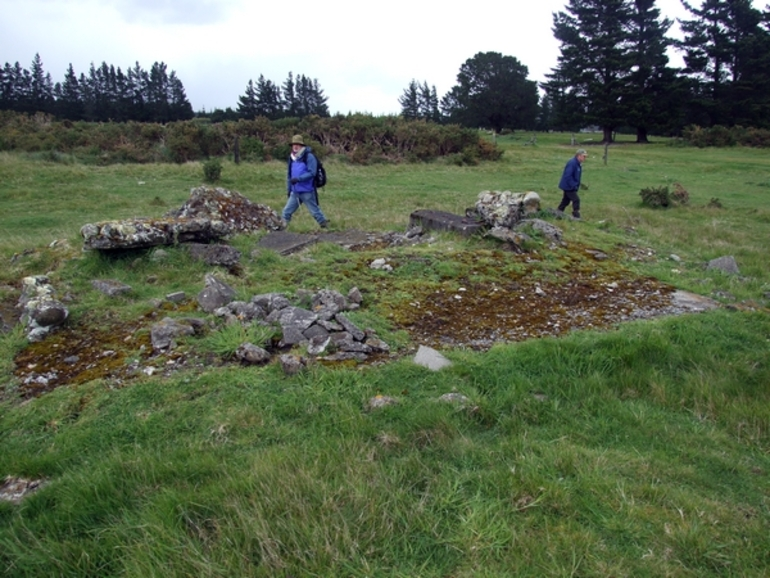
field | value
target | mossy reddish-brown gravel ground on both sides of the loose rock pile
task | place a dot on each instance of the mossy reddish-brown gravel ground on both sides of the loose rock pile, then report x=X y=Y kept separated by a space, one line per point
x=473 y=299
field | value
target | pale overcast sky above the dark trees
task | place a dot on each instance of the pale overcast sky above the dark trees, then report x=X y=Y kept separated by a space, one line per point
x=363 y=55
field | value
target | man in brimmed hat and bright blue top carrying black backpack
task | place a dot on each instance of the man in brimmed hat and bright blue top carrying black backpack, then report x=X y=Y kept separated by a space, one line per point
x=302 y=166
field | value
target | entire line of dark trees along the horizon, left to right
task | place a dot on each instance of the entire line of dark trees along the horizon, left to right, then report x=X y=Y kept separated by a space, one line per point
x=613 y=72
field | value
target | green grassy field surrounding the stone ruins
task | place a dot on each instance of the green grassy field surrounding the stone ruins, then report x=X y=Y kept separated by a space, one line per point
x=637 y=451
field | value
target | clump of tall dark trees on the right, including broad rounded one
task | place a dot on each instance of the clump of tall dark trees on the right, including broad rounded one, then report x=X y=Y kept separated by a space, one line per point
x=614 y=73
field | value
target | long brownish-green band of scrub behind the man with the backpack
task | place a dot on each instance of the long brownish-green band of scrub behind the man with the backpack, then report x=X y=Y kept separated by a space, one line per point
x=362 y=139
